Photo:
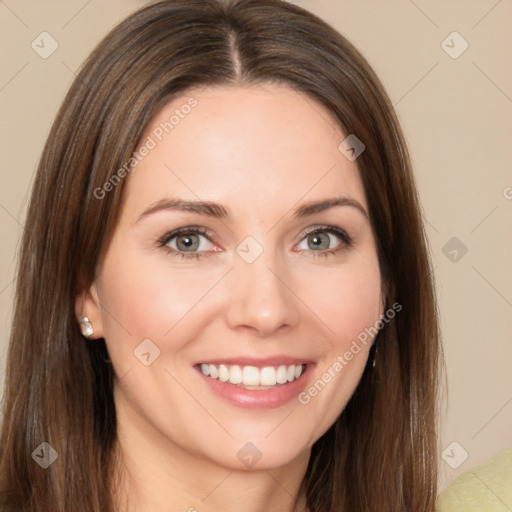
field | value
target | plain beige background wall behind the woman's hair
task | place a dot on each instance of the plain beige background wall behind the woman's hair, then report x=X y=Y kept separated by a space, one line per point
x=456 y=114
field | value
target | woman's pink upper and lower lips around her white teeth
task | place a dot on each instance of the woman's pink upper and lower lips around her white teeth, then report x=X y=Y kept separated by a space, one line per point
x=270 y=398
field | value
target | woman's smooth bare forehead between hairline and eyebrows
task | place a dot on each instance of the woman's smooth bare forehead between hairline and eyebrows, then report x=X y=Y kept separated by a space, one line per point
x=247 y=147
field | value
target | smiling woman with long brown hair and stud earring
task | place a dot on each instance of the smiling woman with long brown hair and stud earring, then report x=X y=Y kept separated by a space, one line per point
x=224 y=294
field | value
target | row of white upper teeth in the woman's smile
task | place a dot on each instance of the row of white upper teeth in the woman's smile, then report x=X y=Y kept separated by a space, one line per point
x=253 y=376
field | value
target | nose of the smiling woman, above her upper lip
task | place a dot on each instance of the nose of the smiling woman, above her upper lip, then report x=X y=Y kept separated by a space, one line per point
x=262 y=298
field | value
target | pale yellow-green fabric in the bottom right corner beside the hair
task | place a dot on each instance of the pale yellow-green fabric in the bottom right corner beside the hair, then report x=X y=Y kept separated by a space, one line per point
x=484 y=488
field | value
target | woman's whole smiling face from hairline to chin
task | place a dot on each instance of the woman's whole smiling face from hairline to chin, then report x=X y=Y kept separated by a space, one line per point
x=241 y=272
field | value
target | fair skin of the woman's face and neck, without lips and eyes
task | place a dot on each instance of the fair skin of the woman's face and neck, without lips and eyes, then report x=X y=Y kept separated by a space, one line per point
x=261 y=152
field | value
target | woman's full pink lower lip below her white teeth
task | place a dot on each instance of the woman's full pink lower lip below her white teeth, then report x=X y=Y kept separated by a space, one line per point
x=270 y=398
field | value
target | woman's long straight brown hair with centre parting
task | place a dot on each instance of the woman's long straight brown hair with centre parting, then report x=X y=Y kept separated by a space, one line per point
x=381 y=453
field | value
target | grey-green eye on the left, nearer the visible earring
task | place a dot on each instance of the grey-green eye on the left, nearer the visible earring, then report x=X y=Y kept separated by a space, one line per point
x=188 y=242
